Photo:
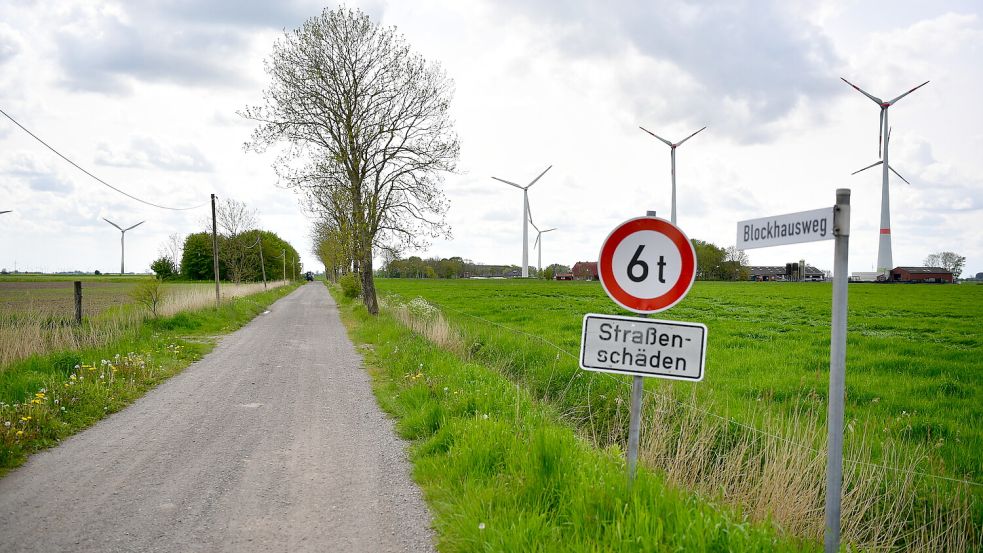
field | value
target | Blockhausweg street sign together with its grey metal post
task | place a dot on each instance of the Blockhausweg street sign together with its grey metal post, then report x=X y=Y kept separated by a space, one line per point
x=821 y=224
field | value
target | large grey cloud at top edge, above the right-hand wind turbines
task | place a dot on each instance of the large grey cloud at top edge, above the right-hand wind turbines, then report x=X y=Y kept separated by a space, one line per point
x=751 y=63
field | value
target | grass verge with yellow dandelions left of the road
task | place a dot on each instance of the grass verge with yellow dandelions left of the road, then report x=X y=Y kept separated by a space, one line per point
x=45 y=398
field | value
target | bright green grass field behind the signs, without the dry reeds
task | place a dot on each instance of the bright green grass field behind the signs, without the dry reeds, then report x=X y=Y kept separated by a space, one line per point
x=914 y=357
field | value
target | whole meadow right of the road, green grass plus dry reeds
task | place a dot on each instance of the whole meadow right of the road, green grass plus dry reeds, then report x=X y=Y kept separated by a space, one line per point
x=752 y=434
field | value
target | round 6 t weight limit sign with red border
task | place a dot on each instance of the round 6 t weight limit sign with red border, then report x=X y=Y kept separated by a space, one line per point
x=647 y=265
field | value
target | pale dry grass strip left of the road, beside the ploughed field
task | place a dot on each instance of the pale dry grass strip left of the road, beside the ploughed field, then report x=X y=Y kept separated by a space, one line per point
x=34 y=328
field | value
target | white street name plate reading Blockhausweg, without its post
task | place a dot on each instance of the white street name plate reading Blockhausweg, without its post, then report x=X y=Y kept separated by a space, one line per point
x=792 y=228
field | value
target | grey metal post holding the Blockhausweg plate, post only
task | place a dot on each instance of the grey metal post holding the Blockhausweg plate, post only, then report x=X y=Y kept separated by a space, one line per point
x=837 y=369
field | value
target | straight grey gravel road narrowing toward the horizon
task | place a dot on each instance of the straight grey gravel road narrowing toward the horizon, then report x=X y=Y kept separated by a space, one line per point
x=272 y=442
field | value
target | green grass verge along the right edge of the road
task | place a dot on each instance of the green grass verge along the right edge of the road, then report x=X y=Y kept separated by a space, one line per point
x=501 y=472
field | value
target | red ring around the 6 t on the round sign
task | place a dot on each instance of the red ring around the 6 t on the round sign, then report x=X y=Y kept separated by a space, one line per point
x=605 y=266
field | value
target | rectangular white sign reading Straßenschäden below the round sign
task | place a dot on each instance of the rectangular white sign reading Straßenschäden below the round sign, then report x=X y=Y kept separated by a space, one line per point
x=643 y=347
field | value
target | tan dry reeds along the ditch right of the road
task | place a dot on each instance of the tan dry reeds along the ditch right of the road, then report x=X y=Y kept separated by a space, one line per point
x=775 y=471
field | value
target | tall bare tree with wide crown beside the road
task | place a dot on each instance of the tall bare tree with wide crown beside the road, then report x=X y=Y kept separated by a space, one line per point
x=369 y=134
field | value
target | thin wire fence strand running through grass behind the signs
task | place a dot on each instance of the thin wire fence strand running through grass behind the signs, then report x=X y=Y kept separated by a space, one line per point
x=709 y=413
